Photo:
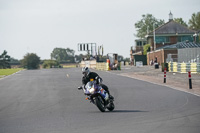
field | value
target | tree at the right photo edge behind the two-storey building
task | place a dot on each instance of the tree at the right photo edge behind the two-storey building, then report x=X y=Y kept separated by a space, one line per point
x=194 y=22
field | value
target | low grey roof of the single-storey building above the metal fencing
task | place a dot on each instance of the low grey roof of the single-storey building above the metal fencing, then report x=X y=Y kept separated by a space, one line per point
x=181 y=45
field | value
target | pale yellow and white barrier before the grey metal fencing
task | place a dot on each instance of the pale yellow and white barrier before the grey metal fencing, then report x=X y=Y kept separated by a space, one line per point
x=184 y=67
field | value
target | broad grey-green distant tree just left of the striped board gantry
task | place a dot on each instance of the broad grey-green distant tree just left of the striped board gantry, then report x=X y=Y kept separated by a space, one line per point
x=63 y=55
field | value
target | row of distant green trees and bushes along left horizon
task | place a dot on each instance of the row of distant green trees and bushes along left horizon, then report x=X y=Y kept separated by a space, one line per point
x=33 y=61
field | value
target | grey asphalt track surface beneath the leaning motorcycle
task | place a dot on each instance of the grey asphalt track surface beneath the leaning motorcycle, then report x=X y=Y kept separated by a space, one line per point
x=48 y=101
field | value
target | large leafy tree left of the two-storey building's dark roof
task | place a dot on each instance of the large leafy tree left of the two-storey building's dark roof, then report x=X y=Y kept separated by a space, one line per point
x=146 y=24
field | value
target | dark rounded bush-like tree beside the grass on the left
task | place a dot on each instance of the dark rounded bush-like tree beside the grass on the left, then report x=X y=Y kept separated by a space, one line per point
x=30 y=61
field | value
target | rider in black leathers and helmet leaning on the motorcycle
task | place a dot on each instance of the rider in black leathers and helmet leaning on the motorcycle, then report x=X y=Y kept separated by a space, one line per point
x=87 y=75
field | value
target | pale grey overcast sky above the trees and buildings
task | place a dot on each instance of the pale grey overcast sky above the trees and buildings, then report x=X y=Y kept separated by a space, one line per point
x=39 y=26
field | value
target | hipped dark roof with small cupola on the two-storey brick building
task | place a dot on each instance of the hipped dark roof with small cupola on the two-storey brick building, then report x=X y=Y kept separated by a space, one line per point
x=172 y=27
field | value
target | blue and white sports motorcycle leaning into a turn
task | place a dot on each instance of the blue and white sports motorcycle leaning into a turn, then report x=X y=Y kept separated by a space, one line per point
x=98 y=96
